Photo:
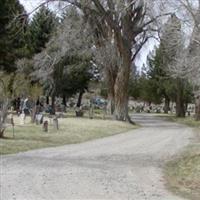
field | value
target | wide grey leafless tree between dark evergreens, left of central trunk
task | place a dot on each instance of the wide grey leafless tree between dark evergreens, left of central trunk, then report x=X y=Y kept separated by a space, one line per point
x=70 y=40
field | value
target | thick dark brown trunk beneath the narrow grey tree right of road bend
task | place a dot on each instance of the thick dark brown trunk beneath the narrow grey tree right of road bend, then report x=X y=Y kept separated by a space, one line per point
x=180 y=103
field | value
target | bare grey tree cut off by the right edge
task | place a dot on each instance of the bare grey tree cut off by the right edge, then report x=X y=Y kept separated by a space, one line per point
x=187 y=63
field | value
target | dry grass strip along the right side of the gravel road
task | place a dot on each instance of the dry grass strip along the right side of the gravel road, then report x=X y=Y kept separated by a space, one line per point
x=183 y=173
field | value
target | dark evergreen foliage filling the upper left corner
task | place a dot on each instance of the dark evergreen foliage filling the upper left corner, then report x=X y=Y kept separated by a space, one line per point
x=12 y=33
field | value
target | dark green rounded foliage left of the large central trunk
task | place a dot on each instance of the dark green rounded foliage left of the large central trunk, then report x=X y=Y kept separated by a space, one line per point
x=72 y=75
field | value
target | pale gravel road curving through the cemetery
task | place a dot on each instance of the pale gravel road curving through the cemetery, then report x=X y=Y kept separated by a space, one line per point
x=125 y=166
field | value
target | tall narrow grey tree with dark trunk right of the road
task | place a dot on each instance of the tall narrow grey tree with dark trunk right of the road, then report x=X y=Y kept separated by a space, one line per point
x=172 y=46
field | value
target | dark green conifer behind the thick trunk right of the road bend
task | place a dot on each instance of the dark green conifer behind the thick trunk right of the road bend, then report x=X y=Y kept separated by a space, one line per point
x=163 y=84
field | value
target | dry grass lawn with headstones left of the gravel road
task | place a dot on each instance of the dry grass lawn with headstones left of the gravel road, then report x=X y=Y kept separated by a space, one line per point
x=71 y=130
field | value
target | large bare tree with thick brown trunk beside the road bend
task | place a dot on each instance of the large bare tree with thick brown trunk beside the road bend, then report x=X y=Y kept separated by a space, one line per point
x=128 y=24
